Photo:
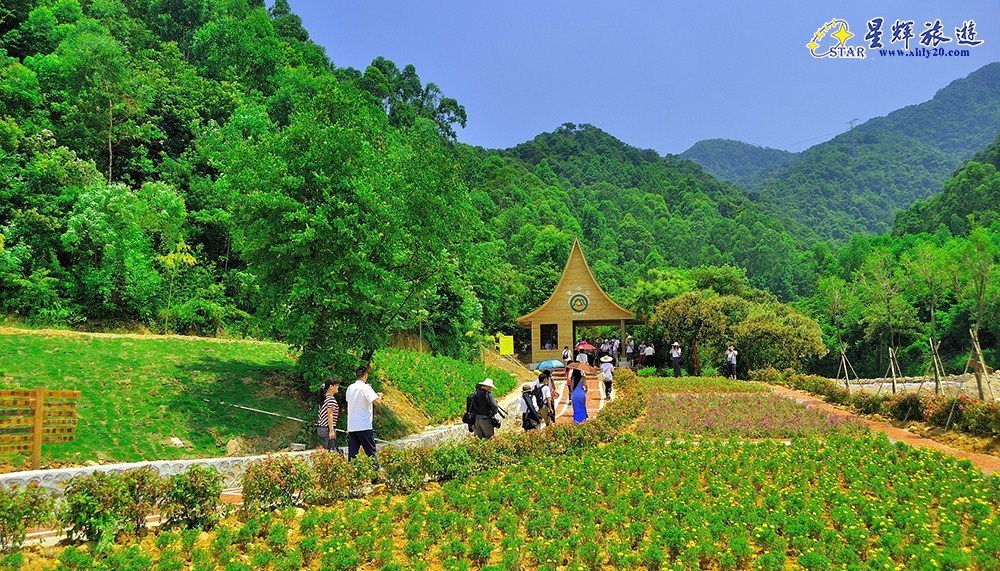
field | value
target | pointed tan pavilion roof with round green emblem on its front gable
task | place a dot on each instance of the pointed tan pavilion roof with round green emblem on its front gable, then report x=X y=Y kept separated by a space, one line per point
x=578 y=296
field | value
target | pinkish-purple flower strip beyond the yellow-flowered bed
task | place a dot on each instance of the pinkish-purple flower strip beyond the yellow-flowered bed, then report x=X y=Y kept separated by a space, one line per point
x=738 y=416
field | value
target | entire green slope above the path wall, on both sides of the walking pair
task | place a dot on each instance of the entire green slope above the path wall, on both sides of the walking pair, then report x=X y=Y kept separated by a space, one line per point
x=139 y=391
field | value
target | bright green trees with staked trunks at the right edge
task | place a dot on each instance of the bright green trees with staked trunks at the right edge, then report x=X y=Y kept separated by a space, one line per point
x=902 y=290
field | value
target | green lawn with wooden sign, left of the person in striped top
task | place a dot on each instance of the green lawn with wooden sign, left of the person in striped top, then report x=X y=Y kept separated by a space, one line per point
x=138 y=392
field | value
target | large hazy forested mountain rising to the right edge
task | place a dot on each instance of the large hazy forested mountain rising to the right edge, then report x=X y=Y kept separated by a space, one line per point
x=859 y=180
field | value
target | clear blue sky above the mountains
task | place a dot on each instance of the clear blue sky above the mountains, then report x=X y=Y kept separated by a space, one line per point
x=655 y=74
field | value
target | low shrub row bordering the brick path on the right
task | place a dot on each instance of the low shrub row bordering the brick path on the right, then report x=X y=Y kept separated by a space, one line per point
x=958 y=412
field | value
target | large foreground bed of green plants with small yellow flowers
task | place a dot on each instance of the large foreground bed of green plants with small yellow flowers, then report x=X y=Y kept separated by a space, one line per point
x=837 y=503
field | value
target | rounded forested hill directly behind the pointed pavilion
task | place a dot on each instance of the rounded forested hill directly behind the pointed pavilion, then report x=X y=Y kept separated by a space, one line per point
x=635 y=210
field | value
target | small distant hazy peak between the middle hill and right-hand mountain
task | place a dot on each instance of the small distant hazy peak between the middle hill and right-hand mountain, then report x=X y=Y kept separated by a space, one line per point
x=738 y=162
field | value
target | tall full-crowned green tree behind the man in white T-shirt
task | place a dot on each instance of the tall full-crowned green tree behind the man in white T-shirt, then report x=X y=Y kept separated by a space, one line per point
x=347 y=222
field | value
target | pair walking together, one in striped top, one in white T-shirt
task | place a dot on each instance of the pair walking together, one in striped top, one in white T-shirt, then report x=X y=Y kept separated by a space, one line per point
x=360 y=398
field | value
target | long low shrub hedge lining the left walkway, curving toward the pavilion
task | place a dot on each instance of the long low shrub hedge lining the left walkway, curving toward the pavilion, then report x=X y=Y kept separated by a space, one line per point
x=102 y=506
